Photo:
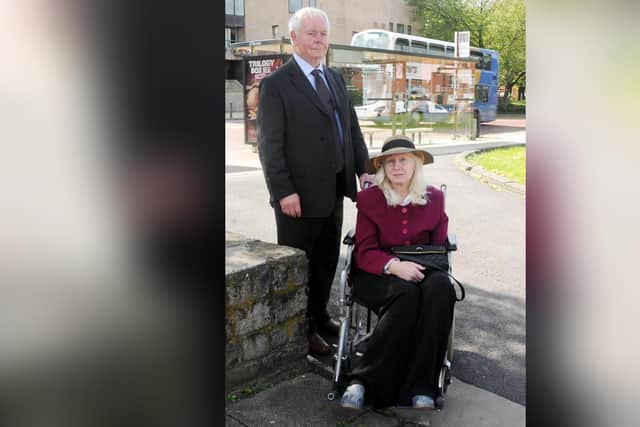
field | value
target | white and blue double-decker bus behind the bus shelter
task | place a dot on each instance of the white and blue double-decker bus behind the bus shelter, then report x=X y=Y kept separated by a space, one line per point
x=486 y=80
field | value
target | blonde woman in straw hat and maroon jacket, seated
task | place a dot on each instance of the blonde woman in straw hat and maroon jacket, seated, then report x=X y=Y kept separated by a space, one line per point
x=415 y=306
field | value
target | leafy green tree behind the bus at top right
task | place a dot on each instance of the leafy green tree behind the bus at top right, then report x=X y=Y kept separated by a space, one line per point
x=493 y=24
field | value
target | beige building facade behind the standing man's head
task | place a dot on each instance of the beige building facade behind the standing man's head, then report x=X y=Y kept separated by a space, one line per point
x=247 y=20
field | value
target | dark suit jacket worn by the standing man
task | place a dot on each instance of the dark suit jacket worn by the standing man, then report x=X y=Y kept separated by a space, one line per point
x=296 y=137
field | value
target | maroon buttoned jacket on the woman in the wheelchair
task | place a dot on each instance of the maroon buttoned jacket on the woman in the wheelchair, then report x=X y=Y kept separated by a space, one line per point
x=380 y=227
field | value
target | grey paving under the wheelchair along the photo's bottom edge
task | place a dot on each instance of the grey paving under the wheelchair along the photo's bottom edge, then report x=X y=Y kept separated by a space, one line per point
x=302 y=402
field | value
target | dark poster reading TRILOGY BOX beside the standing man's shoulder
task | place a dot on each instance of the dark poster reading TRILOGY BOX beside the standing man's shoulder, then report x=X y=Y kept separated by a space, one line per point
x=255 y=70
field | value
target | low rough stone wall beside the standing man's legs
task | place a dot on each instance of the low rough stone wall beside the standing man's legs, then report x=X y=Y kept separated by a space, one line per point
x=265 y=311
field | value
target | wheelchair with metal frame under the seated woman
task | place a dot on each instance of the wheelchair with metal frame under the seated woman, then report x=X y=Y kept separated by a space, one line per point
x=355 y=331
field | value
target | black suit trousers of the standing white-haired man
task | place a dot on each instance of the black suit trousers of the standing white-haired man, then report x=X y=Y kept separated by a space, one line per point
x=320 y=239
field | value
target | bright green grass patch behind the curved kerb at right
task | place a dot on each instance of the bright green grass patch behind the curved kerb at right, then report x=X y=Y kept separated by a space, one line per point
x=509 y=162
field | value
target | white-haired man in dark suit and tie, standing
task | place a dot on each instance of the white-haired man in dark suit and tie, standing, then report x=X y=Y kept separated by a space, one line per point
x=311 y=150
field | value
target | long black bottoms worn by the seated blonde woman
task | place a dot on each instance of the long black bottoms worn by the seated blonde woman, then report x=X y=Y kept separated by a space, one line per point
x=406 y=350
